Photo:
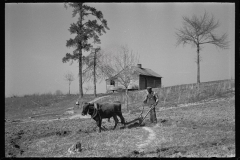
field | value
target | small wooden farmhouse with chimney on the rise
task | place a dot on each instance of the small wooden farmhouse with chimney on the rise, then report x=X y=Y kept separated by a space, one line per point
x=142 y=78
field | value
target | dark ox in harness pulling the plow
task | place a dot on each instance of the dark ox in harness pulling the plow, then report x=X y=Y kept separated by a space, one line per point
x=105 y=110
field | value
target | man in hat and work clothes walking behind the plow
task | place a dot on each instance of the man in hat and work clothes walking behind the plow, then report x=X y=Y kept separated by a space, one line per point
x=151 y=100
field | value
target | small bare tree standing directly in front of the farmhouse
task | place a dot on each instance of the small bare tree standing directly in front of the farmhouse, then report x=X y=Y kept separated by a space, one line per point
x=121 y=65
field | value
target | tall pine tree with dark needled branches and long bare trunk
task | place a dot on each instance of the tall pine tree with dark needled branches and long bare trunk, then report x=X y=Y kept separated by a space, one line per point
x=84 y=30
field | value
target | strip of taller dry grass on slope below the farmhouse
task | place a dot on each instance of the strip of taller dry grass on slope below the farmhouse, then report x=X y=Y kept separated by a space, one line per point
x=179 y=94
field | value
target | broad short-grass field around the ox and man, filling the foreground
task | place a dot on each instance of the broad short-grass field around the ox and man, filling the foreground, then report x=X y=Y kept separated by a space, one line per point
x=203 y=129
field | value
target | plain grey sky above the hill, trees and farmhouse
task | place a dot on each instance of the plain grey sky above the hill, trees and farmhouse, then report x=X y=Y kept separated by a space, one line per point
x=36 y=34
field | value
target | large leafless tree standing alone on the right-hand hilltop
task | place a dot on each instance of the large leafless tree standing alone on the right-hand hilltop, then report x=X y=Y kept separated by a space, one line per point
x=198 y=32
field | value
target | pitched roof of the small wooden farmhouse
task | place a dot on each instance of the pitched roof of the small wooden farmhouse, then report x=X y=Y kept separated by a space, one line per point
x=141 y=71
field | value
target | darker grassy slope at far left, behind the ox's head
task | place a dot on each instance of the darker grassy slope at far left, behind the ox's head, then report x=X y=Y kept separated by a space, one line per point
x=45 y=105
